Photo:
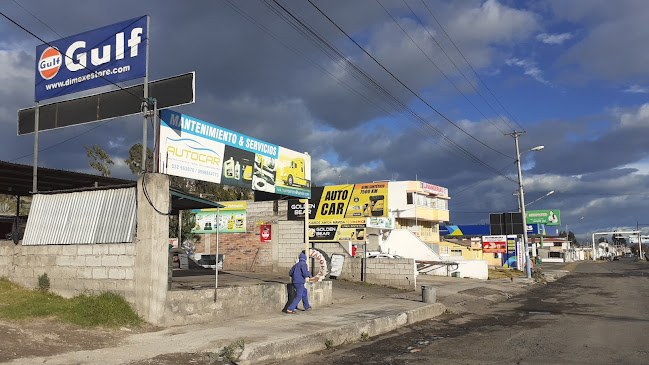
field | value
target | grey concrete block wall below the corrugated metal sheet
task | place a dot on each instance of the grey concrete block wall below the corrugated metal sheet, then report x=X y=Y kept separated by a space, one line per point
x=72 y=269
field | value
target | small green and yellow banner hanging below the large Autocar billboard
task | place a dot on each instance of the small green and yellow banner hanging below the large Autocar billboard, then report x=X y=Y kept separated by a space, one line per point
x=232 y=219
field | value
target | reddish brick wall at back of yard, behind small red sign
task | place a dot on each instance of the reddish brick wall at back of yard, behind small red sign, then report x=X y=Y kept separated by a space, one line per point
x=241 y=250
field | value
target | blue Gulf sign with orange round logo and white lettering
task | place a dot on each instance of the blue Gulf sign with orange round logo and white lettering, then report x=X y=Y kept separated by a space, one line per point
x=99 y=57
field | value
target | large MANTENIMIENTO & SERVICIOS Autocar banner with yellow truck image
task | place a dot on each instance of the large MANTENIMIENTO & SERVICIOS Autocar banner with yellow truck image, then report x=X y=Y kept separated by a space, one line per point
x=195 y=149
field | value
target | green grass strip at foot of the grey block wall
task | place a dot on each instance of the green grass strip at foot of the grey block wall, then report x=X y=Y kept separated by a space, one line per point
x=105 y=310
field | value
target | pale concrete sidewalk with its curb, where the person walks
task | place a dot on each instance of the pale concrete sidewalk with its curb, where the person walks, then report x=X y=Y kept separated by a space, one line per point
x=357 y=311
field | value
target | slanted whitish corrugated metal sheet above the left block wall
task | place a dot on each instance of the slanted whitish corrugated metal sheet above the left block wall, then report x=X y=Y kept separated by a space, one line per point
x=86 y=217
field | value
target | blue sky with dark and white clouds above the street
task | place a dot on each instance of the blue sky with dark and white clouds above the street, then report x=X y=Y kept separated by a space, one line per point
x=388 y=89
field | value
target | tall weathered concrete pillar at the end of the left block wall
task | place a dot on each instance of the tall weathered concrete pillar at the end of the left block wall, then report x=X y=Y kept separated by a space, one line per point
x=152 y=246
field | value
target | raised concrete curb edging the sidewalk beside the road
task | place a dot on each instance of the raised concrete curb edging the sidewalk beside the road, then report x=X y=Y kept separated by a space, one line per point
x=304 y=344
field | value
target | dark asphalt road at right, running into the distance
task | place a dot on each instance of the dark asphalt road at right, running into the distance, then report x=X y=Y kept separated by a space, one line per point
x=599 y=314
